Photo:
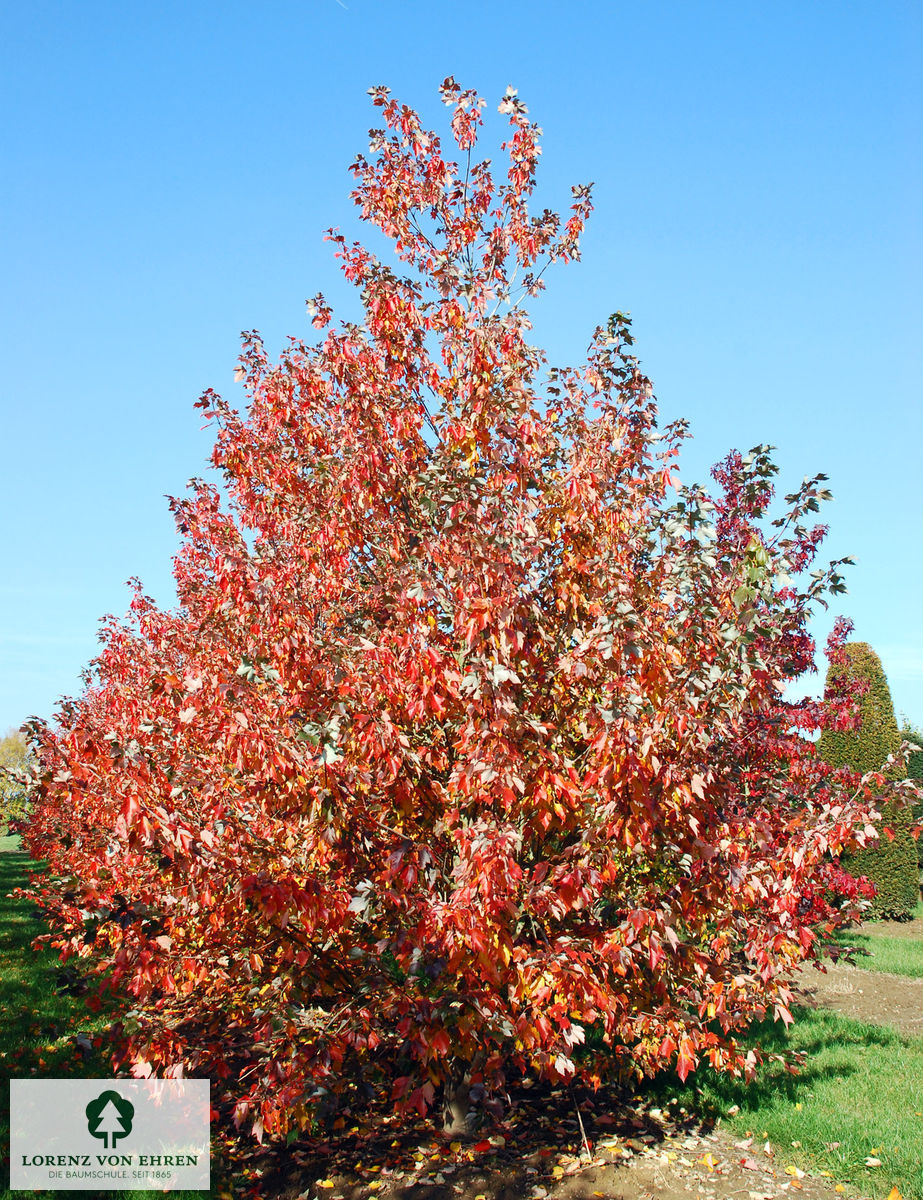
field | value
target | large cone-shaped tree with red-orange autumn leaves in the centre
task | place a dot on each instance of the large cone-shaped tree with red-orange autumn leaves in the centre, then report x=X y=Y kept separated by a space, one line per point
x=469 y=739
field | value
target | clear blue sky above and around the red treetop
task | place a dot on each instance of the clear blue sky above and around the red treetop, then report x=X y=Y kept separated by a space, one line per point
x=169 y=172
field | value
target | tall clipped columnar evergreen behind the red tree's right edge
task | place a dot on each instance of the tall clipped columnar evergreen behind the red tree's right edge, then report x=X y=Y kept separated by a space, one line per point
x=892 y=865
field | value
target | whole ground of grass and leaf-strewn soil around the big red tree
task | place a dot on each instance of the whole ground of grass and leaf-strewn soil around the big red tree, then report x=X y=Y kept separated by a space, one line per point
x=849 y=1125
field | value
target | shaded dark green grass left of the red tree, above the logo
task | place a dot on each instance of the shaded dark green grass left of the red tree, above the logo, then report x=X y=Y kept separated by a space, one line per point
x=40 y=1022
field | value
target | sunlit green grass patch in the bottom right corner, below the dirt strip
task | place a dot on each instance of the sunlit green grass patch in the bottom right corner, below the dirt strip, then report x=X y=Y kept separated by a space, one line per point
x=861 y=1087
